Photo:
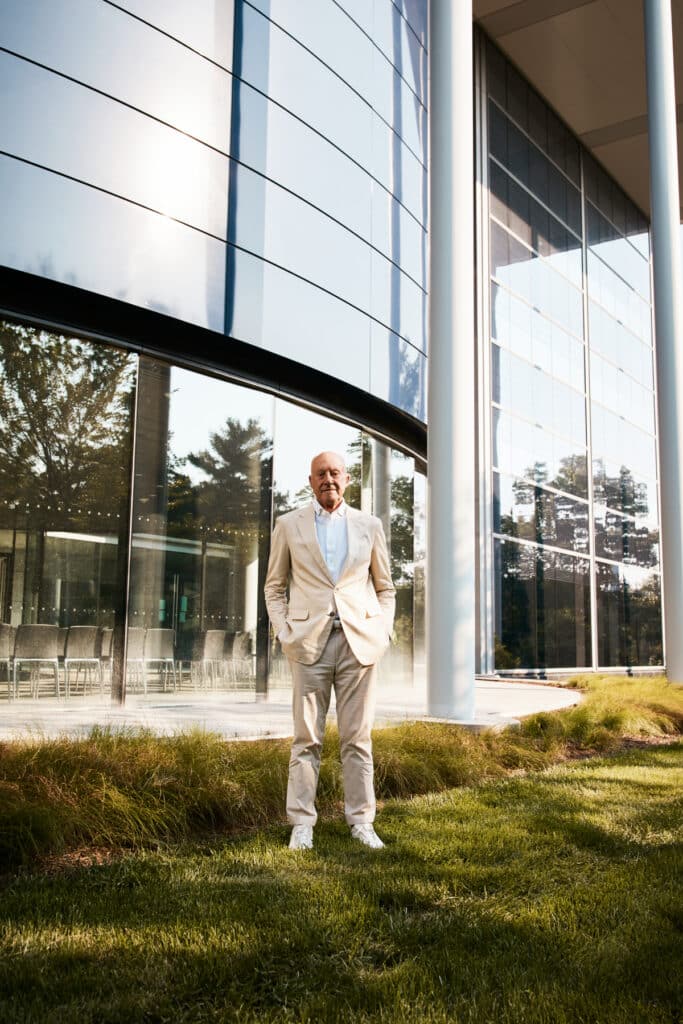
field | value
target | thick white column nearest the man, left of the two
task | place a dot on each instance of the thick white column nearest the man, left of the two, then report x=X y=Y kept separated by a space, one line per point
x=451 y=478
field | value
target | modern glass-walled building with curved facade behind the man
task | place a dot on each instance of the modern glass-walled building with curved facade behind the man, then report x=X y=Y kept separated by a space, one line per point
x=217 y=262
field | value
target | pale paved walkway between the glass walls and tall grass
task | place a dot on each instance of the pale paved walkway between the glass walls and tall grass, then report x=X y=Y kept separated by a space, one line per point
x=237 y=715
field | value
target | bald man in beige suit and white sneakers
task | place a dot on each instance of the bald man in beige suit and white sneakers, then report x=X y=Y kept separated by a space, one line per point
x=334 y=630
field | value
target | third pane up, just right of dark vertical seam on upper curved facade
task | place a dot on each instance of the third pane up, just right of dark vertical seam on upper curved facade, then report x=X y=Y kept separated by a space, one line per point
x=287 y=151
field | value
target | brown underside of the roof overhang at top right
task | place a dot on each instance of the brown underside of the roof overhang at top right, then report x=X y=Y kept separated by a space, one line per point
x=587 y=58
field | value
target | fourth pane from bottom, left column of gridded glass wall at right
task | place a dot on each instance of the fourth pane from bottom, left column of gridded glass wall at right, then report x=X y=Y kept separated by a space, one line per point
x=527 y=390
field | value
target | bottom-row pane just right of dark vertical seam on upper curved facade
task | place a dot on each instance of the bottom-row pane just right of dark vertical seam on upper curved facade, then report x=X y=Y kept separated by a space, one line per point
x=273 y=309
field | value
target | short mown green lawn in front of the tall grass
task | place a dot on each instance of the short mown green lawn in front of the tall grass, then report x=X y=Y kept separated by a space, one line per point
x=543 y=899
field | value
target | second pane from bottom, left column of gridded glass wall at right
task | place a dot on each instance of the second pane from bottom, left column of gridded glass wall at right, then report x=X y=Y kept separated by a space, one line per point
x=530 y=513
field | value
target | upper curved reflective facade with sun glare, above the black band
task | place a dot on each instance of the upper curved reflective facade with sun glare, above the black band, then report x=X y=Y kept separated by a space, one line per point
x=252 y=161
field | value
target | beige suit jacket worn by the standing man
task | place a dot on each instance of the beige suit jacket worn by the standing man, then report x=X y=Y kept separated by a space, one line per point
x=364 y=598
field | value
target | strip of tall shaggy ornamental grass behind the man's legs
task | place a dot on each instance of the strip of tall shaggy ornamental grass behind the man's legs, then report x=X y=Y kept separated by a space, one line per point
x=127 y=790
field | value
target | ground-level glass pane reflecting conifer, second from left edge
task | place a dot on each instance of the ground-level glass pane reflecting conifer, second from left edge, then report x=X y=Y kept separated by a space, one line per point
x=201 y=533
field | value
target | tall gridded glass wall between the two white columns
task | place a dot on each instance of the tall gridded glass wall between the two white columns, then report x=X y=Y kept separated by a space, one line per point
x=576 y=566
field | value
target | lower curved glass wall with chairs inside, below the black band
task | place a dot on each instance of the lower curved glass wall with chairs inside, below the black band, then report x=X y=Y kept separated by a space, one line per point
x=172 y=543
